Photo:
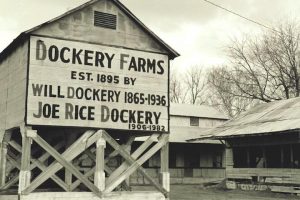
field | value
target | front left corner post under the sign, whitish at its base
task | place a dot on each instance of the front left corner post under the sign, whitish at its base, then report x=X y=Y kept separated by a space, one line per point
x=25 y=173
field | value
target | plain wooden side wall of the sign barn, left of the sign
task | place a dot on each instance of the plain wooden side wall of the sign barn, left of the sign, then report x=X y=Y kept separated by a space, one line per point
x=13 y=88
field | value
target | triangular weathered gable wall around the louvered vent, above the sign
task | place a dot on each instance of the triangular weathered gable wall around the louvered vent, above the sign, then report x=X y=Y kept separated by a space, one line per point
x=81 y=23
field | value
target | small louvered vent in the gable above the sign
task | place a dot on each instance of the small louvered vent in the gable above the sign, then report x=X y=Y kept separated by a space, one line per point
x=105 y=20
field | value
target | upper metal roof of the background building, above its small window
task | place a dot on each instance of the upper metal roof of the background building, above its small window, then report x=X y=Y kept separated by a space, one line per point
x=196 y=111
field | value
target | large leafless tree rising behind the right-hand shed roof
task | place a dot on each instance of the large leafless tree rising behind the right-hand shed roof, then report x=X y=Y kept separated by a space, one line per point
x=261 y=69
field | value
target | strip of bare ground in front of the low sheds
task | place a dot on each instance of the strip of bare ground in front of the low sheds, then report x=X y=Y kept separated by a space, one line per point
x=196 y=192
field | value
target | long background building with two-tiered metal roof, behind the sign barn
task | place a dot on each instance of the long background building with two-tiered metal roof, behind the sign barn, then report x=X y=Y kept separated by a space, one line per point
x=190 y=162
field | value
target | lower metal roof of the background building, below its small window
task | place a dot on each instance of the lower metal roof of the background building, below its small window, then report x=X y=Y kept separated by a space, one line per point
x=182 y=134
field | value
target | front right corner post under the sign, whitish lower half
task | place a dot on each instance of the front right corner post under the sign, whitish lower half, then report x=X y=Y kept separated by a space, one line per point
x=164 y=169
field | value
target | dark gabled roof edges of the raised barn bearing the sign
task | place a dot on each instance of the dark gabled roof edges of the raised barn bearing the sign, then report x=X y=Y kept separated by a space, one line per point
x=24 y=35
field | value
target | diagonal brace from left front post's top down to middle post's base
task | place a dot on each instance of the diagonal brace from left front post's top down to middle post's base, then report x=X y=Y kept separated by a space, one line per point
x=67 y=165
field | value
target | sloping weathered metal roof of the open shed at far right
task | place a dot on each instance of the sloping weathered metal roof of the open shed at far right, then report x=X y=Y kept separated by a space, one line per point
x=275 y=117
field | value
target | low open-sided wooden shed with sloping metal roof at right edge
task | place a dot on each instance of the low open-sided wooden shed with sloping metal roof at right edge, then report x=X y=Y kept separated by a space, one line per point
x=263 y=147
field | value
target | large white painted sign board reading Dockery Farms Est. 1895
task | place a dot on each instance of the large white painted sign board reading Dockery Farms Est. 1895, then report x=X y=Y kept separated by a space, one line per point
x=88 y=85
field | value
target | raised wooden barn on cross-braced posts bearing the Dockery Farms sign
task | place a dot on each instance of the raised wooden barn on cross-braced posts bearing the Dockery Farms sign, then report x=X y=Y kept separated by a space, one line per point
x=84 y=85
